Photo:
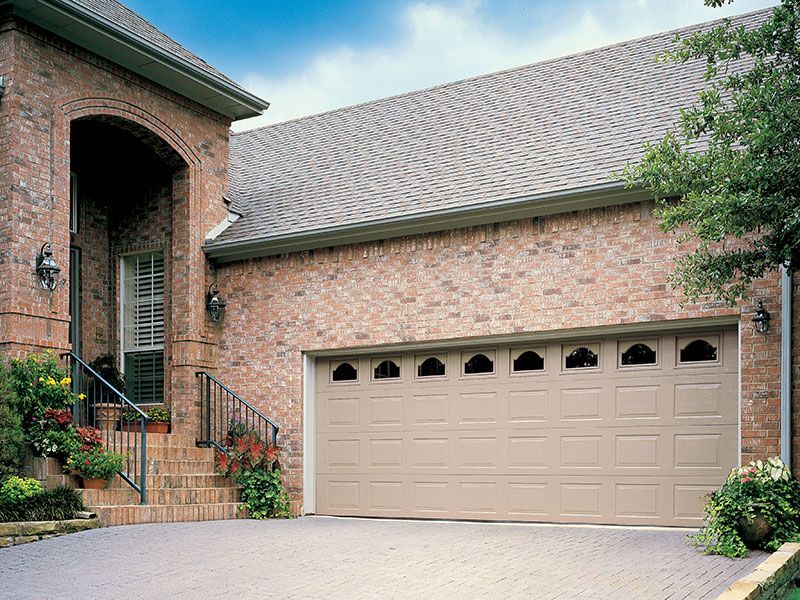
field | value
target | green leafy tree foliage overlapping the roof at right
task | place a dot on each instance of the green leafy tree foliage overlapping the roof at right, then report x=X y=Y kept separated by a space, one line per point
x=733 y=158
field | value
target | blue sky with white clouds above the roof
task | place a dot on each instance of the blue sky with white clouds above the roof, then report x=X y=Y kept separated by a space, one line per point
x=311 y=56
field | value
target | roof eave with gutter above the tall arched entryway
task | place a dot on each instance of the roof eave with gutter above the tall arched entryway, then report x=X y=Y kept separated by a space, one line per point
x=82 y=26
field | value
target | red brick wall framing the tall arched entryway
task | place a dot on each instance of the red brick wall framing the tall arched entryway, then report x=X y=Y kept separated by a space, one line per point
x=49 y=84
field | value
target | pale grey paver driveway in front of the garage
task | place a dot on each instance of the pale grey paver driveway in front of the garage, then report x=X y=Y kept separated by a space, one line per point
x=319 y=557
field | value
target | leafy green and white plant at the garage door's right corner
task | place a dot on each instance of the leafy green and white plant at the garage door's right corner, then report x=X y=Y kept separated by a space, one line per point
x=763 y=489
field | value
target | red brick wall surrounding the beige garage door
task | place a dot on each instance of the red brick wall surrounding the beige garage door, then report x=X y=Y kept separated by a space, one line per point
x=584 y=269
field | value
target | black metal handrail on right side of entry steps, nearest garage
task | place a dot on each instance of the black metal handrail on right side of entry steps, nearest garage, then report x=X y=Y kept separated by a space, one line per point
x=223 y=412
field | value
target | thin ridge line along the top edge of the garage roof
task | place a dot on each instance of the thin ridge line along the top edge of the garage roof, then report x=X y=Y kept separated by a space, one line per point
x=564 y=57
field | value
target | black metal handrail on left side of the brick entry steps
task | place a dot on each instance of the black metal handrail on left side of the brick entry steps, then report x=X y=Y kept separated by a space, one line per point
x=101 y=406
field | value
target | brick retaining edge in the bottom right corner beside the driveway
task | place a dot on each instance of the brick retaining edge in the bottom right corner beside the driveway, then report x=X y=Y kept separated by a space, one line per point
x=771 y=579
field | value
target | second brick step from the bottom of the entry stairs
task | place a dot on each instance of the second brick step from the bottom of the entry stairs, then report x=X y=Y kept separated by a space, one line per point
x=161 y=496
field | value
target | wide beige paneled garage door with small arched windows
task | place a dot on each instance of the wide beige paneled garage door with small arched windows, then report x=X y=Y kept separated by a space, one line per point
x=606 y=430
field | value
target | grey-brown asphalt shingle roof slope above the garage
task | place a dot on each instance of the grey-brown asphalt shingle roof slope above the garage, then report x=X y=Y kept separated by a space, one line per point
x=546 y=127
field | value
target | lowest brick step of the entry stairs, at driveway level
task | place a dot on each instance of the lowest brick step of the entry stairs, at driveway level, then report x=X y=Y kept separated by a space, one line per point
x=174 y=513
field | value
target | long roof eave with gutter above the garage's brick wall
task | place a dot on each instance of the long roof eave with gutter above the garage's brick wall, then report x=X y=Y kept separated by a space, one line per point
x=497 y=211
